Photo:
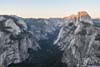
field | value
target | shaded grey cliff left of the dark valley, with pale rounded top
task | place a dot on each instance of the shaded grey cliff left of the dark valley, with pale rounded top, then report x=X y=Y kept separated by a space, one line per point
x=15 y=40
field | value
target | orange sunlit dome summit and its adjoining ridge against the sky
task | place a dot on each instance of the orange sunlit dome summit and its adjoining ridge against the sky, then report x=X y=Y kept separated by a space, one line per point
x=80 y=17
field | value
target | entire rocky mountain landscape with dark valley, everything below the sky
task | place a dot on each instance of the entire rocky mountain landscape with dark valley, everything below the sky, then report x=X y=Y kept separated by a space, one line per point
x=73 y=41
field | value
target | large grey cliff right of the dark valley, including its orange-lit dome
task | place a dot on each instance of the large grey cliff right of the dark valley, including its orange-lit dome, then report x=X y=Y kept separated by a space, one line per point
x=80 y=42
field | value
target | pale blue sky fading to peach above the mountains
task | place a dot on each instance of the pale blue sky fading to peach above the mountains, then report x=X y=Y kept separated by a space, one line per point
x=48 y=8
